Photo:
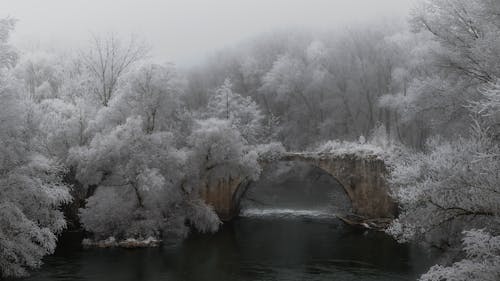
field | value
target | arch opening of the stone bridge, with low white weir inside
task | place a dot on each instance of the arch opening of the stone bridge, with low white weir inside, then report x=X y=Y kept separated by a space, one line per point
x=293 y=188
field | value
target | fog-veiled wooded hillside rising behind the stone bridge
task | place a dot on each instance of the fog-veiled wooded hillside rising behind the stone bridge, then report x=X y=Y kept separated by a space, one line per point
x=319 y=86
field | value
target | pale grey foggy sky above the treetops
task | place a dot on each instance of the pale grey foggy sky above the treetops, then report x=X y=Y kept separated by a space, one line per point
x=180 y=31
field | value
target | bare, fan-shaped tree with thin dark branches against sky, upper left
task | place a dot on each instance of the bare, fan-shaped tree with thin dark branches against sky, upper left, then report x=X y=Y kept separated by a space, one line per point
x=108 y=59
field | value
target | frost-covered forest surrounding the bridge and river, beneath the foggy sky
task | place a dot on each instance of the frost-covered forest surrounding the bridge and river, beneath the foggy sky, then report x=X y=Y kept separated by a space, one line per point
x=106 y=140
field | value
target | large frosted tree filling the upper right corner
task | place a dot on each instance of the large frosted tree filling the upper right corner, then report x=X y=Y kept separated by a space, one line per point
x=454 y=54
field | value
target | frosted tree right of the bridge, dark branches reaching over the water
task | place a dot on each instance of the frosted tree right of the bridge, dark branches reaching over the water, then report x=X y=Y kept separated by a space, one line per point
x=450 y=188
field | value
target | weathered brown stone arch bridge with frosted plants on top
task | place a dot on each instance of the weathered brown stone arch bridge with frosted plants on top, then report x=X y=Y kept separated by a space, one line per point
x=362 y=177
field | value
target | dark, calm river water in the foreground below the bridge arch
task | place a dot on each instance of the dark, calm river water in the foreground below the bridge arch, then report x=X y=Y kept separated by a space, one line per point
x=269 y=247
